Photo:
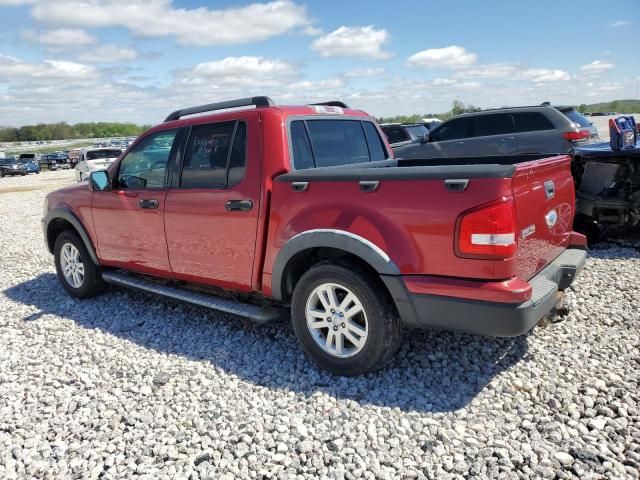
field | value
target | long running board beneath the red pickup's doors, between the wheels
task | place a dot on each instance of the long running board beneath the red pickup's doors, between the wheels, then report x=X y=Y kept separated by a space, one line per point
x=255 y=313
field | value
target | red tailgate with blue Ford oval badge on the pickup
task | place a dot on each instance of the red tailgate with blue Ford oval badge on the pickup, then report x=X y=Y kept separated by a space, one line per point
x=545 y=204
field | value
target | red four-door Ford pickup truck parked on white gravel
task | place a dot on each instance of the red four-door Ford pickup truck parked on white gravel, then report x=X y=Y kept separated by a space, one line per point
x=248 y=210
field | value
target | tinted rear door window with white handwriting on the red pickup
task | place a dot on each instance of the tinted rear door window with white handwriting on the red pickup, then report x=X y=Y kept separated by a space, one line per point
x=214 y=156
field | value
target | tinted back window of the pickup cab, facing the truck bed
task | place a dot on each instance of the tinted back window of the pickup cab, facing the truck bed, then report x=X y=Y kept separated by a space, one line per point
x=330 y=143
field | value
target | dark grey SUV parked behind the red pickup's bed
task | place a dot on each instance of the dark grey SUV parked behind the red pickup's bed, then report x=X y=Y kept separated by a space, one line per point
x=506 y=131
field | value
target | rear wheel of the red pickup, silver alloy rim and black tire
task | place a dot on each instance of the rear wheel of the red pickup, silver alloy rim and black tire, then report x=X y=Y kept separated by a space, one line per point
x=376 y=316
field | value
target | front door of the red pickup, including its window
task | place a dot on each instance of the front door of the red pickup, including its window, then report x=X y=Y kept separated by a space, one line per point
x=129 y=218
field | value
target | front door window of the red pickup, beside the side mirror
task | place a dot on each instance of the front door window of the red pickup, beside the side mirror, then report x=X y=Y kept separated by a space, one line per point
x=145 y=166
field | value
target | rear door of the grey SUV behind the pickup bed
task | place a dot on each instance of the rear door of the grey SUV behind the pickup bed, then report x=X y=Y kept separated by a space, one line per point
x=493 y=134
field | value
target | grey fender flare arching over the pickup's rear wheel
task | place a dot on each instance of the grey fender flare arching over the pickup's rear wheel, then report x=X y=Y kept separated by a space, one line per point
x=331 y=238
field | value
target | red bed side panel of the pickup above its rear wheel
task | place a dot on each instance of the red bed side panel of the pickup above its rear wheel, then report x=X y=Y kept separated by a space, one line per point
x=413 y=221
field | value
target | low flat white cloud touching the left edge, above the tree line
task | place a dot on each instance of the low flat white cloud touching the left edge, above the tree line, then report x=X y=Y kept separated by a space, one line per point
x=13 y=68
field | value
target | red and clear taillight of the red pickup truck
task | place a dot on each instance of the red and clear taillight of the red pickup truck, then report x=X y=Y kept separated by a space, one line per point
x=488 y=232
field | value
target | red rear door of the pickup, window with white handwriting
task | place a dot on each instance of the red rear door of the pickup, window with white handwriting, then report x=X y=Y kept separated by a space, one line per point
x=211 y=213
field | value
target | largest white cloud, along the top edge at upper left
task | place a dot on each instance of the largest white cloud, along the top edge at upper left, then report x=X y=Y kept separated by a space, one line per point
x=159 y=18
